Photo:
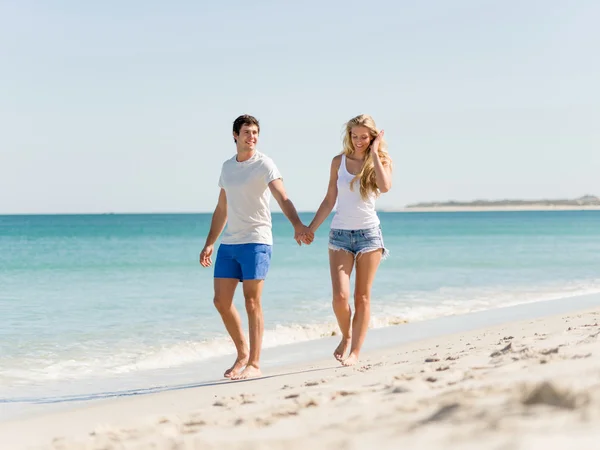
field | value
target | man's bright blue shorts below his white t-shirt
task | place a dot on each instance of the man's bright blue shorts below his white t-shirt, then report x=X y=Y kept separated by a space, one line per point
x=243 y=261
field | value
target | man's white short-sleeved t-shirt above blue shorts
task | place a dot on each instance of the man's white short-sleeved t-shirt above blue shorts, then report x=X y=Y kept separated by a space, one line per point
x=246 y=185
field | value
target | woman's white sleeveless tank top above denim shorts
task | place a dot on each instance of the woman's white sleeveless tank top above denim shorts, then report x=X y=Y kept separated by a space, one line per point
x=352 y=212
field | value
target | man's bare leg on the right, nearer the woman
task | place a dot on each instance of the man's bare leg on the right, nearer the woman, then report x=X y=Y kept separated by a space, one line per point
x=252 y=295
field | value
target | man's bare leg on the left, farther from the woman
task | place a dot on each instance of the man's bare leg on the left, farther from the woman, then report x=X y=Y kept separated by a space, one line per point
x=224 y=291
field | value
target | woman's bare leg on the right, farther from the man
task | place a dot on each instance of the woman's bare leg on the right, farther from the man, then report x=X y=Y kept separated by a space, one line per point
x=366 y=267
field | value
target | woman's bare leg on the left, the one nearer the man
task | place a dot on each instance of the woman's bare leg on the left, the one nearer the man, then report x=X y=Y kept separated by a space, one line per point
x=340 y=265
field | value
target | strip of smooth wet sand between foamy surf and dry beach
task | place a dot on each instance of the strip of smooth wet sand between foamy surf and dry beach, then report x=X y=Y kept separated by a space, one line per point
x=274 y=357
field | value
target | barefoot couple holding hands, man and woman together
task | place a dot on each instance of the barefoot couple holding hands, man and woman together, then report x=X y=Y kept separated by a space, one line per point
x=358 y=175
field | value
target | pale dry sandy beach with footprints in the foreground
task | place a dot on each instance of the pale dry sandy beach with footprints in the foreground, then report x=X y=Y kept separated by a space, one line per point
x=525 y=384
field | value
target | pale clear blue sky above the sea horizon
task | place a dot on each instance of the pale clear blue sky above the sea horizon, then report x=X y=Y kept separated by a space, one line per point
x=127 y=106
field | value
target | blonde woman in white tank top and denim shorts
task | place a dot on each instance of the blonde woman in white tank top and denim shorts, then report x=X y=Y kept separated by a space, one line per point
x=358 y=175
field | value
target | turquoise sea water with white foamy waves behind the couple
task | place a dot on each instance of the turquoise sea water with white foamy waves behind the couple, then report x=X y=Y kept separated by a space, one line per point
x=84 y=298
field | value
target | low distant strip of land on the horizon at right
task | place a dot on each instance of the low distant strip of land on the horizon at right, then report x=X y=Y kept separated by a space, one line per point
x=585 y=202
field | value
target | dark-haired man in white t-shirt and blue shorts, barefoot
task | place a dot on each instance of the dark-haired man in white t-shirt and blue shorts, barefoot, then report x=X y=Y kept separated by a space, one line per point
x=247 y=181
